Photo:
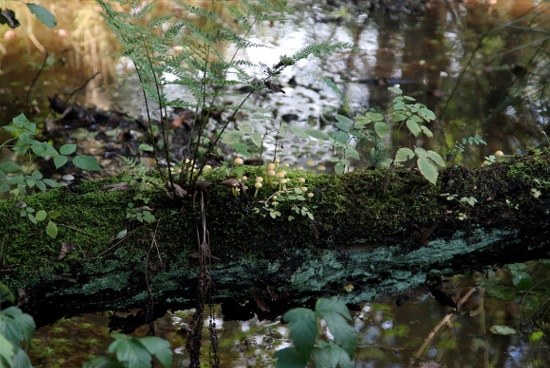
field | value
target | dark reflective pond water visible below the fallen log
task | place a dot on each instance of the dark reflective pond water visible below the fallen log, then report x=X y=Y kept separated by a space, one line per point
x=389 y=335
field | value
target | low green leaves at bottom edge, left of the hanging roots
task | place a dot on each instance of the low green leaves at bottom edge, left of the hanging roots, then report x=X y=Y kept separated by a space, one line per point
x=134 y=352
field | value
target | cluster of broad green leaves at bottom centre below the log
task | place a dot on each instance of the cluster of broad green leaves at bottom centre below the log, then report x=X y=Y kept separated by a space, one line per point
x=311 y=342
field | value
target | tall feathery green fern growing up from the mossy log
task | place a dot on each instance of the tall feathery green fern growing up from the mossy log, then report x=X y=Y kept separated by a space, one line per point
x=179 y=46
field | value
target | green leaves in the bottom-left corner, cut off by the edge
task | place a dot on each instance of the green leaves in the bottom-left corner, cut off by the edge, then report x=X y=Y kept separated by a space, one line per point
x=16 y=328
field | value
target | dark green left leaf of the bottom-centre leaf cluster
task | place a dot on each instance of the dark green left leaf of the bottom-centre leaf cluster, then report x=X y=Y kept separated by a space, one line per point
x=302 y=323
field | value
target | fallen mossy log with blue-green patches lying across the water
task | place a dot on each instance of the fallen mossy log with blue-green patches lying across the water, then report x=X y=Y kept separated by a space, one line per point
x=373 y=232
